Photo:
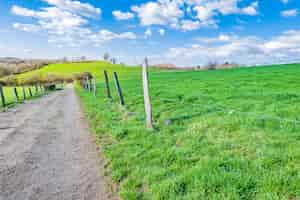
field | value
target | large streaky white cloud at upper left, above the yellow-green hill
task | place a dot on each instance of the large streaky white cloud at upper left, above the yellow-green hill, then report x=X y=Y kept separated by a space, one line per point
x=66 y=23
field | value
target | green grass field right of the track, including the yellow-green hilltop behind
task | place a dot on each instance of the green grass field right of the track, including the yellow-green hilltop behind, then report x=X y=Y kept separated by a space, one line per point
x=231 y=134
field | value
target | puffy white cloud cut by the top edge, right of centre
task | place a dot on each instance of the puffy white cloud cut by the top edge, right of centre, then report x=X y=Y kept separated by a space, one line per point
x=173 y=13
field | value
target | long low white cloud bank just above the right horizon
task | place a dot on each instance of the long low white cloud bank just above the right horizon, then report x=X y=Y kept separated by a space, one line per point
x=244 y=50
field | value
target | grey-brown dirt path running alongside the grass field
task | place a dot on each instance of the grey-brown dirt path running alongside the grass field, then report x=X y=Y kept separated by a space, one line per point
x=46 y=152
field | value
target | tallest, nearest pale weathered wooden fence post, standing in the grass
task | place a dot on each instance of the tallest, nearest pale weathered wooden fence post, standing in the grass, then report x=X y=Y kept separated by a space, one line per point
x=147 y=100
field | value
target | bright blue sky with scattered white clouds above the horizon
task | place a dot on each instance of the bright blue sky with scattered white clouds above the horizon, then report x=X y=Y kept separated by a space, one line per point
x=182 y=32
